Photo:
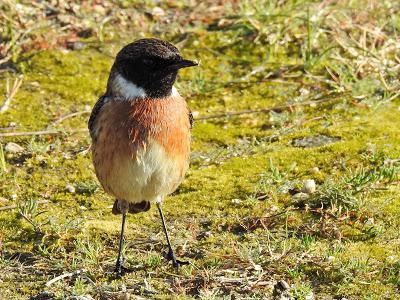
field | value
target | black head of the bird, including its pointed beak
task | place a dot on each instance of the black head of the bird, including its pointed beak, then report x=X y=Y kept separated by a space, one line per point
x=151 y=65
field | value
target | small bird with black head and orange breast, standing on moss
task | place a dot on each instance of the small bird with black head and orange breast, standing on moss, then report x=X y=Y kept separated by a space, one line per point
x=140 y=130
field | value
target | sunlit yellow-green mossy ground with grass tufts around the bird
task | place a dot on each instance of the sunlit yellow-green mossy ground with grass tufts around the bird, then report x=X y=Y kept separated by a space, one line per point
x=234 y=217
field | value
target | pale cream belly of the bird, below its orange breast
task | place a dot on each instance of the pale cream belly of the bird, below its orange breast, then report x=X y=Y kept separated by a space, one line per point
x=150 y=175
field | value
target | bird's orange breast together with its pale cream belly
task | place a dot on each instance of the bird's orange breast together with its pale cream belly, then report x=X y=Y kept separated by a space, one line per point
x=141 y=148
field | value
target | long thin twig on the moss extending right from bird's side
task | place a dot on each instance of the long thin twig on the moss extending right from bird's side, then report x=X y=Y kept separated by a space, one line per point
x=279 y=108
